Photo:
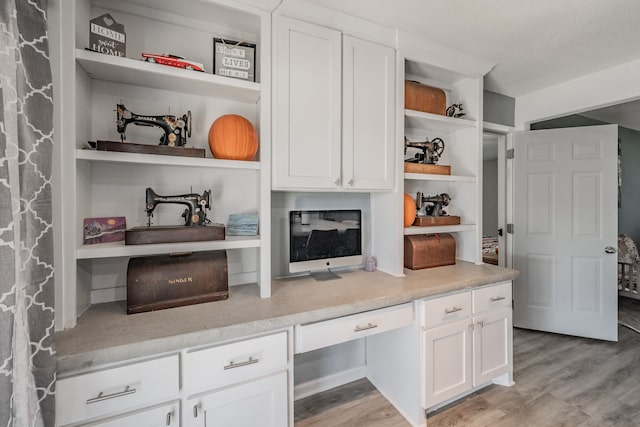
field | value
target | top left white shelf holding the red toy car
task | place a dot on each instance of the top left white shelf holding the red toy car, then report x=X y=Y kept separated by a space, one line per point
x=140 y=73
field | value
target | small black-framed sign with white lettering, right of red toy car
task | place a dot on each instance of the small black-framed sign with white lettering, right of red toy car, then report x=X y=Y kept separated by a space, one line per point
x=234 y=59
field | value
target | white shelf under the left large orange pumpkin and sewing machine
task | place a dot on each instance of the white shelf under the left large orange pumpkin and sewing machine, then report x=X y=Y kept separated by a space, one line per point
x=156 y=159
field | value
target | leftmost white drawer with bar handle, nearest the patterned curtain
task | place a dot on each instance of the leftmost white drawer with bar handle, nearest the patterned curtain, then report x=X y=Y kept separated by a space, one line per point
x=116 y=389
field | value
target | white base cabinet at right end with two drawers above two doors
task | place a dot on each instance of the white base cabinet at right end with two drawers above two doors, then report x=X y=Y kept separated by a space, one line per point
x=467 y=341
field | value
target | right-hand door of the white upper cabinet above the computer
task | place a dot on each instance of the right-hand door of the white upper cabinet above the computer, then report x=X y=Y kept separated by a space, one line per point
x=368 y=115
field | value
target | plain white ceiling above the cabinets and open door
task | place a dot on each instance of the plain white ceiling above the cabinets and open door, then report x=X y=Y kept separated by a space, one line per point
x=534 y=44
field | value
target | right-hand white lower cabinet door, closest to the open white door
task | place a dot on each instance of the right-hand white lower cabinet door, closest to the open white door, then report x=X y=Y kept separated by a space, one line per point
x=493 y=345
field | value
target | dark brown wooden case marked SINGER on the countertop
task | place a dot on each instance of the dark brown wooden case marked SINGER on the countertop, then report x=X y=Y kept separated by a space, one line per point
x=165 y=281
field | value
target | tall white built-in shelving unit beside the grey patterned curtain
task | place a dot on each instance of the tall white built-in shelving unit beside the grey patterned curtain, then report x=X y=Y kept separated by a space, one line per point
x=108 y=184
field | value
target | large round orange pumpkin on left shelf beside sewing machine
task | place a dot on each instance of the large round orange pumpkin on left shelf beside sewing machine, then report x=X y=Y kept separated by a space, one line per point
x=233 y=137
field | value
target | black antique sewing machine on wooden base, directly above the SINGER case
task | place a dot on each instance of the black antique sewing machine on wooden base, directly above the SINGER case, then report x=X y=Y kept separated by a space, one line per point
x=196 y=227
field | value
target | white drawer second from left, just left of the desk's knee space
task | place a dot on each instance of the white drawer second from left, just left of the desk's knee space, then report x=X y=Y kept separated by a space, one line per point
x=226 y=364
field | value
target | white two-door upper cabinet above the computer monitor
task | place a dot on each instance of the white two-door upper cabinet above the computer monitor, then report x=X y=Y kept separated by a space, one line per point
x=333 y=110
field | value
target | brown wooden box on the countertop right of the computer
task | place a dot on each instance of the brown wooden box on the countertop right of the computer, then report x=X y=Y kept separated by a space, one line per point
x=429 y=250
